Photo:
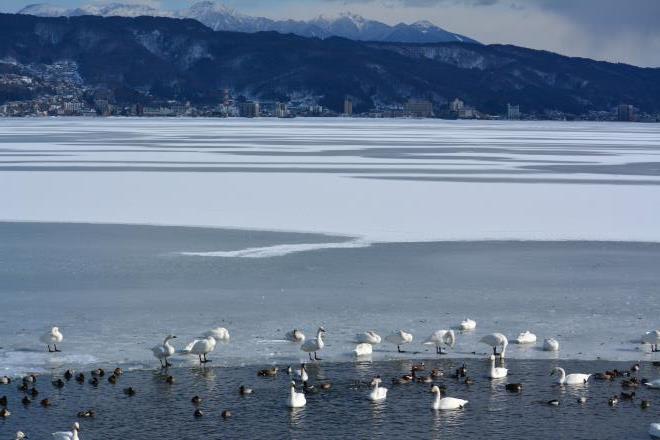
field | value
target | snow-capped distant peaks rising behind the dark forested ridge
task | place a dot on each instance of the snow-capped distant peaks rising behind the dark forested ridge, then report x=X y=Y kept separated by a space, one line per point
x=221 y=18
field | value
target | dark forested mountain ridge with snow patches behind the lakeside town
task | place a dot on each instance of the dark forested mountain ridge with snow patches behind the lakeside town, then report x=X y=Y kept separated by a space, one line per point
x=155 y=58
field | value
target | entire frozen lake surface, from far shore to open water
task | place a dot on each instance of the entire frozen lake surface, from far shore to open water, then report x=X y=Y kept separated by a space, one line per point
x=388 y=225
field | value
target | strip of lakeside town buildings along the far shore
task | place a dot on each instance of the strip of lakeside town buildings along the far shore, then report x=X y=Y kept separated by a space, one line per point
x=103 y=104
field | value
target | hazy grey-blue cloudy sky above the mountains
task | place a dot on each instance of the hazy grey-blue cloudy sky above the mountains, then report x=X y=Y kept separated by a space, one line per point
x=614 y=30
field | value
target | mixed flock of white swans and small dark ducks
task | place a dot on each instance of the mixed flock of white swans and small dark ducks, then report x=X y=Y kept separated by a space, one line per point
x=442 y=340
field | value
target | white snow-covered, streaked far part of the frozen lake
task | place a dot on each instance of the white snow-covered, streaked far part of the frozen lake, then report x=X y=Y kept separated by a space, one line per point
x=379 y=180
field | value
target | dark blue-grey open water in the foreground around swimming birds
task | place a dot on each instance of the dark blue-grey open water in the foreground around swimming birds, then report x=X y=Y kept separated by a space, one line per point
x=164 y=411
